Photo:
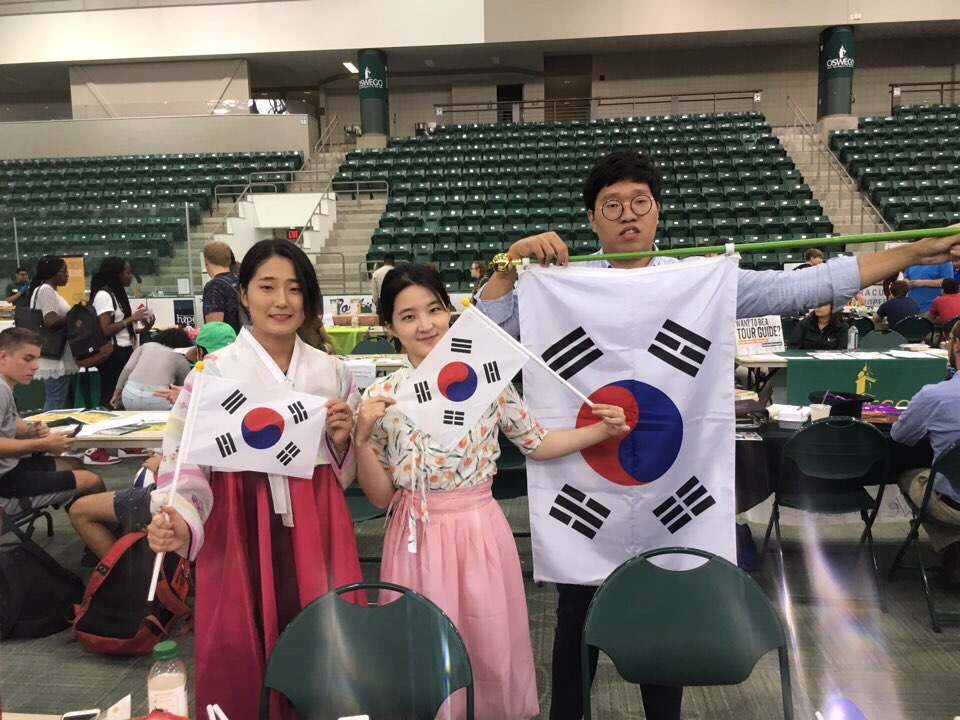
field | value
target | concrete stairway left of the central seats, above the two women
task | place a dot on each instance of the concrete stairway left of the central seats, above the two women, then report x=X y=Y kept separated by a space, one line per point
x=356 y=220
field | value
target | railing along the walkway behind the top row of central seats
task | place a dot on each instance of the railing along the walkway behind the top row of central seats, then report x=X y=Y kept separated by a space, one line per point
x=591 y=105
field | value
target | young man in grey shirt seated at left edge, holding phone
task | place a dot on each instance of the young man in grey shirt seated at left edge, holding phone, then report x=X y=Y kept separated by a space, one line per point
x=30 y=477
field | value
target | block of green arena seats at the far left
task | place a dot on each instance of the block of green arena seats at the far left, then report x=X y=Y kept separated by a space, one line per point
x=128 y=205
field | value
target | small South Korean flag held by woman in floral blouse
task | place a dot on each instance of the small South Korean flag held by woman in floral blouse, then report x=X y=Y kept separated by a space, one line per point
x=460 y=378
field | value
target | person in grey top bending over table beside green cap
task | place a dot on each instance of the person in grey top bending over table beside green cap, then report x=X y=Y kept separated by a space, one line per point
x=155 y=365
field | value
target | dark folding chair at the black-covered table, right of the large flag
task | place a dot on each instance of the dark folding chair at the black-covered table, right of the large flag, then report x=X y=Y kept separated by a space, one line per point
x=824 y=468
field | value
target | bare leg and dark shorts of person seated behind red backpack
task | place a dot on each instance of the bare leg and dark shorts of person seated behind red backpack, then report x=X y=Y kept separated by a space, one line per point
x=102 y=518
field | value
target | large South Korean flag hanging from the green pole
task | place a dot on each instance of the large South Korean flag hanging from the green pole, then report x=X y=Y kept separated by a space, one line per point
x=657 y=342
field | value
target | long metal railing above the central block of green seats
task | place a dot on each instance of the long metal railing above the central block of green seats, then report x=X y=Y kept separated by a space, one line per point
x=595 y=108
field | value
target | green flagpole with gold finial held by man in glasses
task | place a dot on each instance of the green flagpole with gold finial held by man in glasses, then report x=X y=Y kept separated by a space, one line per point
x=503 y=262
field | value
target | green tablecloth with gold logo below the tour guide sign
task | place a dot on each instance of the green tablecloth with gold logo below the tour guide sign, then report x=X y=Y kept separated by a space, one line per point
x=890 y=379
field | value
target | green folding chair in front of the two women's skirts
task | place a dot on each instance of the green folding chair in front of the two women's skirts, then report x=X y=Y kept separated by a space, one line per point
x=338 y=659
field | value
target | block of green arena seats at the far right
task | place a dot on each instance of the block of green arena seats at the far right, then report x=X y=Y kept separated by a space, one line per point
x=908 y=164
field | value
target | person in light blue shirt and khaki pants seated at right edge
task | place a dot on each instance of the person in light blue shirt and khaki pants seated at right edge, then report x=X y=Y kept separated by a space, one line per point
x=934 y=412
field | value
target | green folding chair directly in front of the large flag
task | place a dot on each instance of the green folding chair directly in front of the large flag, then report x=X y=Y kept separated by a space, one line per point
x=705 y=626
